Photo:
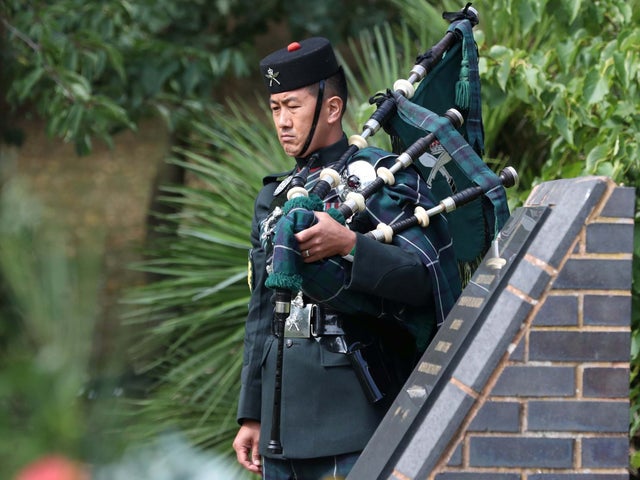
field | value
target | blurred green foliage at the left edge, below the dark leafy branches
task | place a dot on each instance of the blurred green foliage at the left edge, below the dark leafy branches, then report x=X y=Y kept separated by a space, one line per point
x=48 y=295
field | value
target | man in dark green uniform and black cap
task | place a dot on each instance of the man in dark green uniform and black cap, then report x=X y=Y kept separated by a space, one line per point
x=358 y=313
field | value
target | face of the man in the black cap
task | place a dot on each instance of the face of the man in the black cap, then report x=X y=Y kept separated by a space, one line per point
x=292 y=114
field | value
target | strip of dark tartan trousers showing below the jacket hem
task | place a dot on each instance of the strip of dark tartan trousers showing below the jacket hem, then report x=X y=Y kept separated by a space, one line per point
x=324 y=468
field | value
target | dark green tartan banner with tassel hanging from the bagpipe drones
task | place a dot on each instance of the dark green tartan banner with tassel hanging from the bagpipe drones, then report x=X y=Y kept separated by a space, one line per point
x=455 y=82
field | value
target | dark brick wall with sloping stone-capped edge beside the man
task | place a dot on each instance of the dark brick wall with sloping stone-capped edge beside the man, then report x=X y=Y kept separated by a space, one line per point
x=537 y=385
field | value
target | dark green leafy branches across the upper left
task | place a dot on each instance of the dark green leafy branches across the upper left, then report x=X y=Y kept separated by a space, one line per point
x=93 y=68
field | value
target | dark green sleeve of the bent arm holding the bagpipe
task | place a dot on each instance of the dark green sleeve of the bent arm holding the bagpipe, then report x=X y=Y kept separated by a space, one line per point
x=389 y=272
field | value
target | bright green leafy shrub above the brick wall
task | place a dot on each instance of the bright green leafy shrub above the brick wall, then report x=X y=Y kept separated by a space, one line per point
x=569 y=72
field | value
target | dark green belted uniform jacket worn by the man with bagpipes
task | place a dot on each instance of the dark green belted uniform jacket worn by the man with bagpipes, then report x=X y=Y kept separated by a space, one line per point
x=324 y=409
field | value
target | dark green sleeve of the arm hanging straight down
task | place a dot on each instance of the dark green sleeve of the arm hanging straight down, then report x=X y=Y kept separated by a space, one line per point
x=259 y=318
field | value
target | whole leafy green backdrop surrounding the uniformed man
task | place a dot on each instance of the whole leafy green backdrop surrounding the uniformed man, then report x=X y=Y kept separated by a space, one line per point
x=133 y=140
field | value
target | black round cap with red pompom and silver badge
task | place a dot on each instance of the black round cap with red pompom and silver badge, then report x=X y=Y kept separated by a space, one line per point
x=298 y=65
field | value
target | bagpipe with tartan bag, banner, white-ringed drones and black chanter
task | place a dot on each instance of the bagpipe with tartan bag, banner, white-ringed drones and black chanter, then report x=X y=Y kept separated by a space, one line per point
x=413 y=198
